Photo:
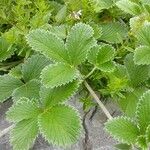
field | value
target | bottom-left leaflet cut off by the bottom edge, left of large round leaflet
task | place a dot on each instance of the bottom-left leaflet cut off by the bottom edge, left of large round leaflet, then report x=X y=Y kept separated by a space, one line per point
x=24 y=134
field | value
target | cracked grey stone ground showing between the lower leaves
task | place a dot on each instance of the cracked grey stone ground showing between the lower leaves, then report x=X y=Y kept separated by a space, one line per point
x=93 y=136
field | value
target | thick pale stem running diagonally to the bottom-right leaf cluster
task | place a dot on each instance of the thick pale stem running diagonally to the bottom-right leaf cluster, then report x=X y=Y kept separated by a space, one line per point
x=102 y=106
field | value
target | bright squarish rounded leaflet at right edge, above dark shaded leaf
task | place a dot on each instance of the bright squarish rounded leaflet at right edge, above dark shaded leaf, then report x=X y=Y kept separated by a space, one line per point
x=142 y=55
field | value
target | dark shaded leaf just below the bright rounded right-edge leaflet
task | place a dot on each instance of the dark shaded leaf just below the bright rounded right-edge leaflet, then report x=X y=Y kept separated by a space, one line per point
x=137 y=74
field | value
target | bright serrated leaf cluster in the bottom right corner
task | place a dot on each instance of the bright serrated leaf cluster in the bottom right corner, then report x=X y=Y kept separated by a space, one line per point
x=133 y=131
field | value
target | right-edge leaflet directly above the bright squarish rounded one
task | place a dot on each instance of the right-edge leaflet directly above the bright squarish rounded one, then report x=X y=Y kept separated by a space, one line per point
x=143 y=34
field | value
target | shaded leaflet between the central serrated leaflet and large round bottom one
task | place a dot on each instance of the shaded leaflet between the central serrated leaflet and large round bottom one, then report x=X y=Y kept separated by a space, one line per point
x=53 y=96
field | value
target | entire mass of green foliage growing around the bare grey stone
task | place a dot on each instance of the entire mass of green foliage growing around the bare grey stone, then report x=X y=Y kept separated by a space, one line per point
x=52 y=50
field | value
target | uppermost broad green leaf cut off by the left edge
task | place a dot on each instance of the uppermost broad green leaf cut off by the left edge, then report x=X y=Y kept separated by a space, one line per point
x=5 y=49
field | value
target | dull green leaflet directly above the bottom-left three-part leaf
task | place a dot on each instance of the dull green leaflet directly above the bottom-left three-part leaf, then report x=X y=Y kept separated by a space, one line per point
x=29 y=90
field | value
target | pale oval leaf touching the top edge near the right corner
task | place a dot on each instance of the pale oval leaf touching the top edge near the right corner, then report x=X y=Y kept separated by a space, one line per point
x=129 y=7
